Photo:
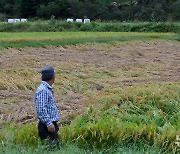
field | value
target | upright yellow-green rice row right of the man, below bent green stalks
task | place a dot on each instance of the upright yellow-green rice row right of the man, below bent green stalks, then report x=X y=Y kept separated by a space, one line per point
x=109 y=131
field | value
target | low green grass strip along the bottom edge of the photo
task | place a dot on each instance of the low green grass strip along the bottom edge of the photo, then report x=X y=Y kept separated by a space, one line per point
x=11 y=148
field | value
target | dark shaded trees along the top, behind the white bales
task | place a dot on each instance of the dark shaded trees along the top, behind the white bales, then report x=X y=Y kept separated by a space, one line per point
x=120 y=10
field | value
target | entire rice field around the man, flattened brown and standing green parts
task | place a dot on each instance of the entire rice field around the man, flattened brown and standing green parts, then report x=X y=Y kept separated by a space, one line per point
x=117 y=92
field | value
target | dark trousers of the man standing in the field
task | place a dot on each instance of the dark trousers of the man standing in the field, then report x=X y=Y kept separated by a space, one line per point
x=45 y=134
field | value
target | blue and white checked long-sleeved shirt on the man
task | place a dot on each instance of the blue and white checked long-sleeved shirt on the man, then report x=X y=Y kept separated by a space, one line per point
x=46 y=109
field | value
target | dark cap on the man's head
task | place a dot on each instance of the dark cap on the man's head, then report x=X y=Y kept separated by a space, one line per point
x=47 y=73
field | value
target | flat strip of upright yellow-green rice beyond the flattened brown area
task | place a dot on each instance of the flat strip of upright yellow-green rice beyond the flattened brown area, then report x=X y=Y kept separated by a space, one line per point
x=36 y=39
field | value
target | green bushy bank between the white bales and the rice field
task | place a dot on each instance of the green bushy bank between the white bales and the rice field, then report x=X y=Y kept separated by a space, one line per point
x=54 y=25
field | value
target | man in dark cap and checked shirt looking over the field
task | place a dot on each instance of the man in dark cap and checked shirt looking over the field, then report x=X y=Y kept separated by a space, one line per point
x=46 y=109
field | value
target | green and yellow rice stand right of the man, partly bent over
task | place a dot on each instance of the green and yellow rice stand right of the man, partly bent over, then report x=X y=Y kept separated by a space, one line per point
x=130 y=116
